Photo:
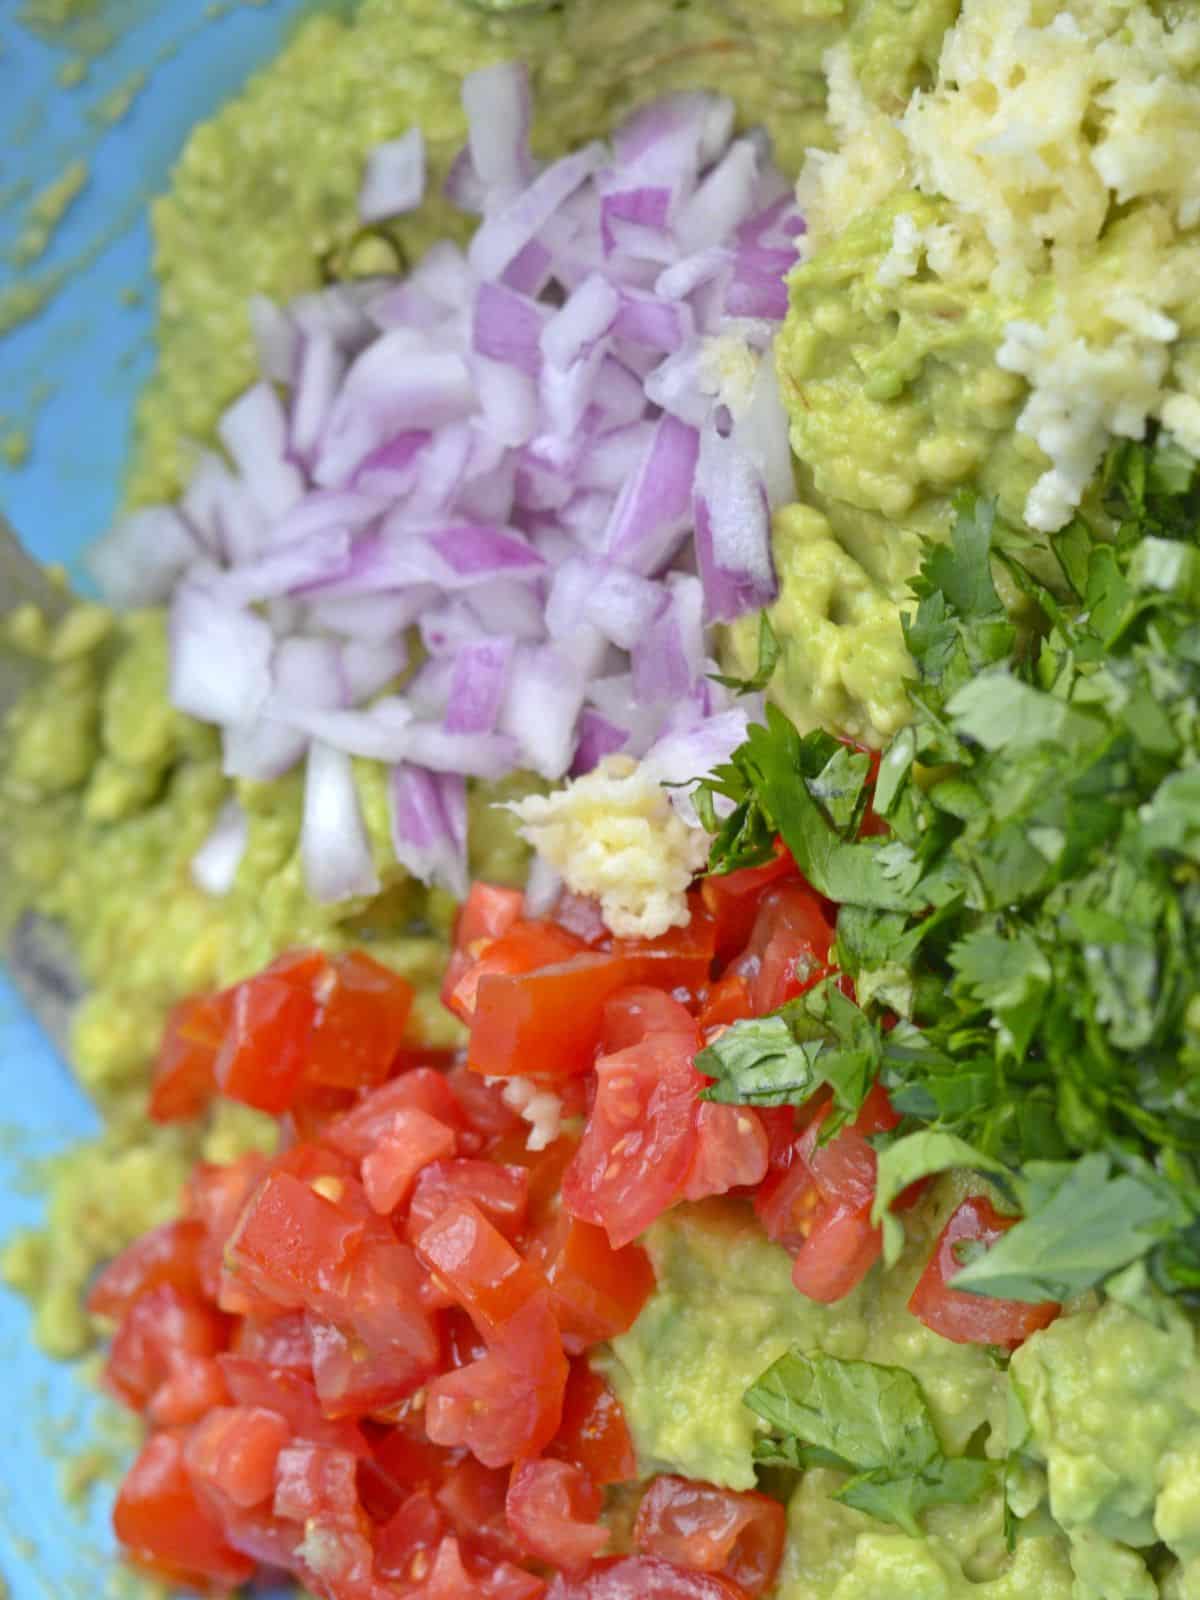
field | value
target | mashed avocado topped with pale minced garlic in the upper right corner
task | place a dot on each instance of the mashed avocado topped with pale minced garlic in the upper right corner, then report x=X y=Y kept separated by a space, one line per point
x=998 y=284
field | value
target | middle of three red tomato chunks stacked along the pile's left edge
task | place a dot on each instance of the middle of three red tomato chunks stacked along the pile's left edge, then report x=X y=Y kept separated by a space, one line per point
x=161 y=1337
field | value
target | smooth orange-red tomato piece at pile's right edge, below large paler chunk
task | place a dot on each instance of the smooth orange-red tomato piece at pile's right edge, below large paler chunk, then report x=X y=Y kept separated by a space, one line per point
x=598 y=1290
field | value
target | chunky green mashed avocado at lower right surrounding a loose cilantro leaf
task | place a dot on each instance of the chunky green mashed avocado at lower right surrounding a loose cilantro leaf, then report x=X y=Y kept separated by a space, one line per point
x=1095 y=1418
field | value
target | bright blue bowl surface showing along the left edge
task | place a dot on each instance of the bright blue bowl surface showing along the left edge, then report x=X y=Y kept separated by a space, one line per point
x=70 y=380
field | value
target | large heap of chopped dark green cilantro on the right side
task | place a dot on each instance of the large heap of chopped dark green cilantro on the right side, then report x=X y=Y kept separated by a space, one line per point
x=1026 y=943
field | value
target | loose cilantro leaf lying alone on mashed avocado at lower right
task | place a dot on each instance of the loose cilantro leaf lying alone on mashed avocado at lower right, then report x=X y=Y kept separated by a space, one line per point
x=870 y=1422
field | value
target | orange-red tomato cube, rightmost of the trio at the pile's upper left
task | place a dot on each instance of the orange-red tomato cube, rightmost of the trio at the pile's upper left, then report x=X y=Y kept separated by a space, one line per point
x=362 y=1012
